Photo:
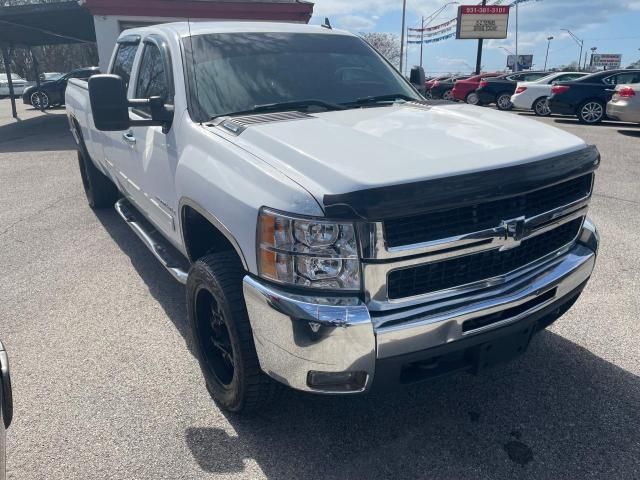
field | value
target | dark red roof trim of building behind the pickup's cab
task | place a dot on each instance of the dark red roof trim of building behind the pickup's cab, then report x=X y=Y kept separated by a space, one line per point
x=203 y=9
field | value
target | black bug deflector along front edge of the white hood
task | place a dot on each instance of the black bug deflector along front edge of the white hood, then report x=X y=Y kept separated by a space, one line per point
x=407 y=199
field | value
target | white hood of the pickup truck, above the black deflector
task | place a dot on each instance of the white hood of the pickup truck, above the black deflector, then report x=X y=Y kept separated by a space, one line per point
x=344 y=151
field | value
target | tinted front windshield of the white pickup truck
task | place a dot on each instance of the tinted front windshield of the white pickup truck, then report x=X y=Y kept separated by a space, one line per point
x=236 y=72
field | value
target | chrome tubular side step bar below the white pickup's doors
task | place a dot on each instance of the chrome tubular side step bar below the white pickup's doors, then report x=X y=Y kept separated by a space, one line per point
x=169 y=257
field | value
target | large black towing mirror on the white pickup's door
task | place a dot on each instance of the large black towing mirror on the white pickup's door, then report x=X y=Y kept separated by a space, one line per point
x=109 y=105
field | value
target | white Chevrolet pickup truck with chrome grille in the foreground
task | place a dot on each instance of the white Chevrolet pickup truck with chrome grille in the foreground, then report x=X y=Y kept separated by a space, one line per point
x=335 y=231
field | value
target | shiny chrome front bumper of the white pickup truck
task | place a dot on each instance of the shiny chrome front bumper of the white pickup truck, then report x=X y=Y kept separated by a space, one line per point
x=295 y=335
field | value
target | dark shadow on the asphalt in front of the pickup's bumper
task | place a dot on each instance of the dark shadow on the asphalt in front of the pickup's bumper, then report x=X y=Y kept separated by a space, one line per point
x=558 y=412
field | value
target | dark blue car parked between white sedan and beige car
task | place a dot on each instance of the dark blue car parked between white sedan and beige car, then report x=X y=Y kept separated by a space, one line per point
x=587 y=97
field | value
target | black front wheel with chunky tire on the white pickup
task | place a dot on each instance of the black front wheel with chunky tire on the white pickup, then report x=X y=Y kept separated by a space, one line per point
x=222 y=335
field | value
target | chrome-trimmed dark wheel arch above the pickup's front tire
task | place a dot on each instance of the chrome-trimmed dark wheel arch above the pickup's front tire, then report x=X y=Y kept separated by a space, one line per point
x=215 y=235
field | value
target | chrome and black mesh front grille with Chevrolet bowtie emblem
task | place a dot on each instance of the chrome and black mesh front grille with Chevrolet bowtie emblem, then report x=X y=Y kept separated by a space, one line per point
x=470 y=248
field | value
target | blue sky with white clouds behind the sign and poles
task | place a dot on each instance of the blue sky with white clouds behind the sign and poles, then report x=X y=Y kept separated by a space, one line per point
x=613 y=26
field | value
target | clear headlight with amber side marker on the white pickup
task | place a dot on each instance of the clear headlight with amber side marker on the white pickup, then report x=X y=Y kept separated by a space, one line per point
x=307 y=252
